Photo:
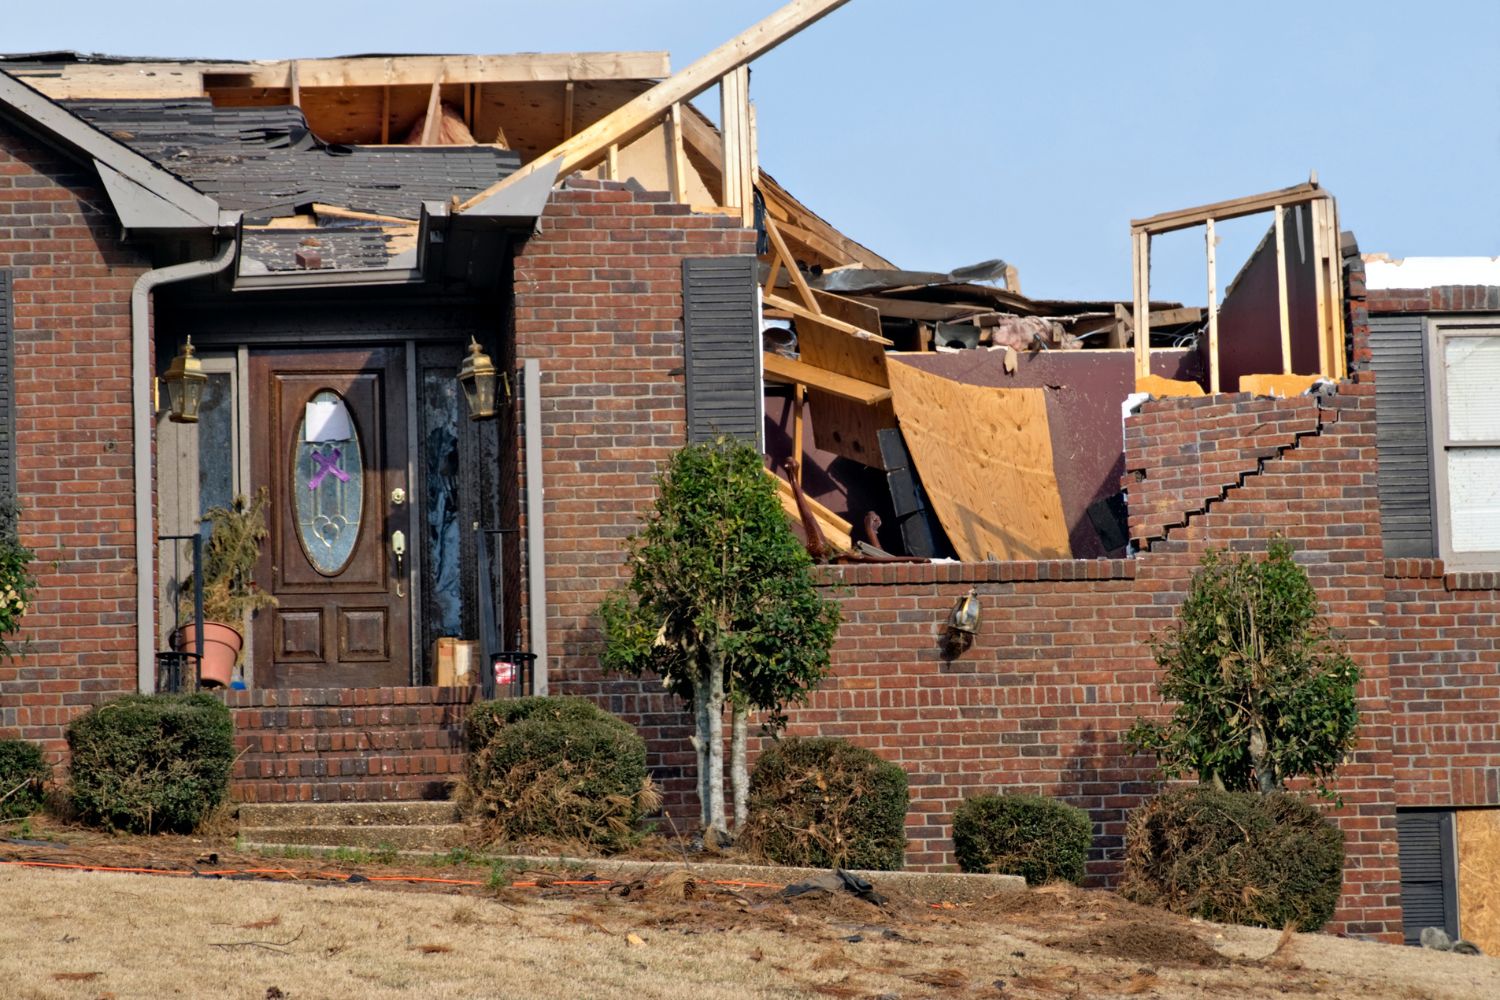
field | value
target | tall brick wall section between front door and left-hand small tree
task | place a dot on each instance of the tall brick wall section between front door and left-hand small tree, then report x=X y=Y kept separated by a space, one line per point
x=599 y=301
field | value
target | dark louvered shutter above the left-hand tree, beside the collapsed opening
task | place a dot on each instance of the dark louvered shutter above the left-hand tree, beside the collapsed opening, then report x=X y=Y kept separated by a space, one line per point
x=724 y=349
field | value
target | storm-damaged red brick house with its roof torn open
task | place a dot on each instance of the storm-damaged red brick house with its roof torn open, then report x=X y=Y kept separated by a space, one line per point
x=328 y=232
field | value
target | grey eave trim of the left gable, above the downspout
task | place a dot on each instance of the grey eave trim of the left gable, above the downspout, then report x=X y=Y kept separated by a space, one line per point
x=139 y=190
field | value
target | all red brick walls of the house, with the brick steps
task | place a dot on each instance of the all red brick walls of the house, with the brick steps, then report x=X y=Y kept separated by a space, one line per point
x=1061 y=666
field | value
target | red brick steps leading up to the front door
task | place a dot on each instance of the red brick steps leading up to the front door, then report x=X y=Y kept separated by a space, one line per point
x=347 y=744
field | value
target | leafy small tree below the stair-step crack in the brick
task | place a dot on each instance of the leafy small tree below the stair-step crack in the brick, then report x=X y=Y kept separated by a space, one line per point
x=1264 y=692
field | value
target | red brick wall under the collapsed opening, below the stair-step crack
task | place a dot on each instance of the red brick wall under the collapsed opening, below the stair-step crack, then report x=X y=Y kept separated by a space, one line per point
x=1061 y=666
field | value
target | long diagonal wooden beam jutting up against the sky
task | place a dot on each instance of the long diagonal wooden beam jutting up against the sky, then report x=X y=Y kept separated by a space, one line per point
x=643 y=115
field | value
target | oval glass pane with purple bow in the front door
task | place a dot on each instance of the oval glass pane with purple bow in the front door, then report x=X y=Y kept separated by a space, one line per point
x=329 y=484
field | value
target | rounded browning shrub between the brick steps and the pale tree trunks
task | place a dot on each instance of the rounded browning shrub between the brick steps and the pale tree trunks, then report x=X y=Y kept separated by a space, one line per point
x=557 y=768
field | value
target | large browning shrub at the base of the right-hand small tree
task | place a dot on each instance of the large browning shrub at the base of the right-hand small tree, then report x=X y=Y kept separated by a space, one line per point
x=1235 y=857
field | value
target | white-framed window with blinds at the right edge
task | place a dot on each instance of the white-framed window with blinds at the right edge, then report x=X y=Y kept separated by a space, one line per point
x=1465 y=379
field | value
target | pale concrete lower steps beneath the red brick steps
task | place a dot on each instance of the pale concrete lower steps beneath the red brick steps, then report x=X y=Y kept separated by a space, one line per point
x=403 y=827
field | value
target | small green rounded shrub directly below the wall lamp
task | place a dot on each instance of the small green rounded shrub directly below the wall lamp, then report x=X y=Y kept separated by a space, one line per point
x=1028 y=836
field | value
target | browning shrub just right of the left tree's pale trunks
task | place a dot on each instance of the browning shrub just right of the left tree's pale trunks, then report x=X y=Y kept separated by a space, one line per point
x=826 y=803
